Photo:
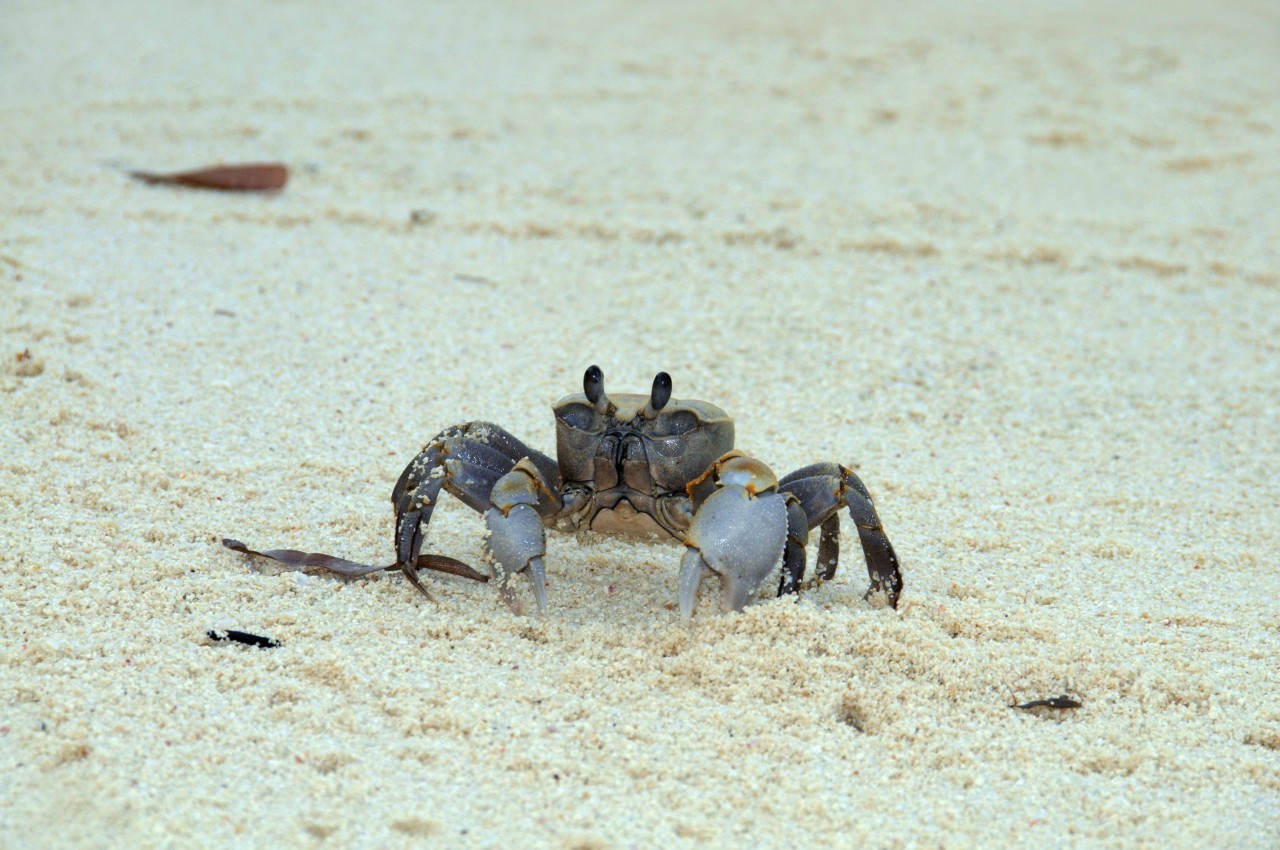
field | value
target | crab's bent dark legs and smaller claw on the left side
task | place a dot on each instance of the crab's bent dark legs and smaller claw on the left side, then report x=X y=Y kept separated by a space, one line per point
x=478 y=464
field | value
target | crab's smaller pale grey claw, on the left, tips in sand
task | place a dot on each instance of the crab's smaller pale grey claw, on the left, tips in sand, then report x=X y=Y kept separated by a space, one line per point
x=518 y=538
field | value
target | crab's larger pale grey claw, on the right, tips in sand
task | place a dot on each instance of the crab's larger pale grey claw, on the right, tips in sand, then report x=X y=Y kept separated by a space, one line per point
x=739 y=534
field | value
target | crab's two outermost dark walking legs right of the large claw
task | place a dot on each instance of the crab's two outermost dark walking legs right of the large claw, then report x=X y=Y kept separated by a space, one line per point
x=822 y=490
